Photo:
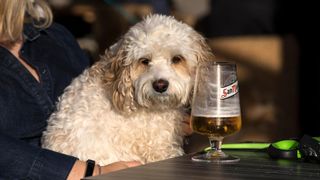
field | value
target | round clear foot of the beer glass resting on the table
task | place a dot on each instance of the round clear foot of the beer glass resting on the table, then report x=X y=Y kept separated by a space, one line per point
x=215 y=157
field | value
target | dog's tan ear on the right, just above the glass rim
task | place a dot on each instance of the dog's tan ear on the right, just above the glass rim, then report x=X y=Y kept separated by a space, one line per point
x=203 y=51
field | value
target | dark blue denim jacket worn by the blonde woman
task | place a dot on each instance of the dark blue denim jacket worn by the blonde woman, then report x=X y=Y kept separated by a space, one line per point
x=26 y=104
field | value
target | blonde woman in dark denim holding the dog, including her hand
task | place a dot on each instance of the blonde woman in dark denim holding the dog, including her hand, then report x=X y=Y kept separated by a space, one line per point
x=38 y=60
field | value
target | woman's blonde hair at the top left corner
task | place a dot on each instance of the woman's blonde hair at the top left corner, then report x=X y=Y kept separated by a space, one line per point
x=14 y=13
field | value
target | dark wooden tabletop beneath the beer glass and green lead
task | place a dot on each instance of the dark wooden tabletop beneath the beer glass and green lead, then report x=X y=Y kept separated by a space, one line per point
x=253 y=165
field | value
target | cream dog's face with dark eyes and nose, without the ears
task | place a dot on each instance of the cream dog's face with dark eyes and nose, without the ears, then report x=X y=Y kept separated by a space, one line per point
x=162 y=75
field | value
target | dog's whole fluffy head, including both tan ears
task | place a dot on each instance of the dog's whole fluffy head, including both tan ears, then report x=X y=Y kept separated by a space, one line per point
x=154 y=64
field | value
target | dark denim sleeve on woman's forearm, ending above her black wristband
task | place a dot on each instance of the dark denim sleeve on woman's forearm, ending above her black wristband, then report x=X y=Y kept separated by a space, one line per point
x=19 y=160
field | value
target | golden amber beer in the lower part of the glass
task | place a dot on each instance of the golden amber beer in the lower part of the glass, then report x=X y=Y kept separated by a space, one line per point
x=216 y=126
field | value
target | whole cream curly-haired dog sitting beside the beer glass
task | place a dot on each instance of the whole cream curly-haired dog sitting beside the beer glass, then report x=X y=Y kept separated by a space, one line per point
x=129 y=105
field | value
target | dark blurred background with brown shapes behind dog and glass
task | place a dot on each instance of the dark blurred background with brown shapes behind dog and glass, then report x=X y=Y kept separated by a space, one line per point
x=273 y=42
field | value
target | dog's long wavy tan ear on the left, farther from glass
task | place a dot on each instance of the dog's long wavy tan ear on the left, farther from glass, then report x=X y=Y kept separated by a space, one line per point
x=117 y=78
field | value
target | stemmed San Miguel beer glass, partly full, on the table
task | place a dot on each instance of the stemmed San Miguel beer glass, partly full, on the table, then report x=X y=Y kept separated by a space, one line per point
x=216 y=108
